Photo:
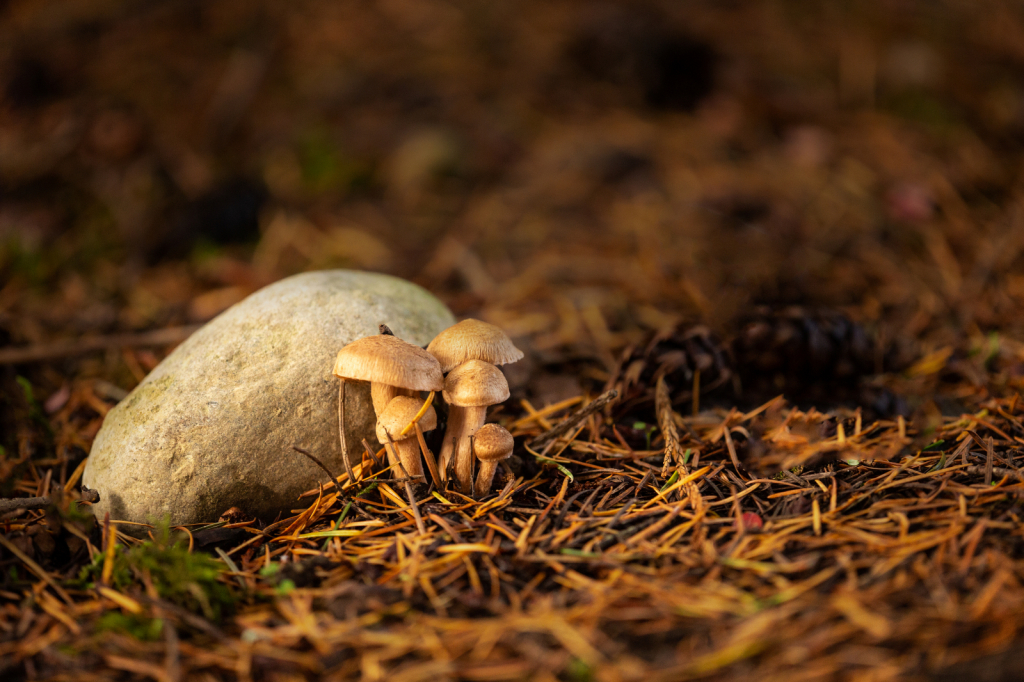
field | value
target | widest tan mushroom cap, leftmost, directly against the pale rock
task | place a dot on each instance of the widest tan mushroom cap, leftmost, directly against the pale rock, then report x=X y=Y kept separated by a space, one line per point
x=390 y=361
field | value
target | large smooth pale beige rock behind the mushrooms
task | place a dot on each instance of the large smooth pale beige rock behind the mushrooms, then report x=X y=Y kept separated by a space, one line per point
x=214 y=425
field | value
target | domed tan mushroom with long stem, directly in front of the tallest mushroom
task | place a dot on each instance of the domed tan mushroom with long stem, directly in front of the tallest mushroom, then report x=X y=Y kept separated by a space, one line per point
x=470 y=391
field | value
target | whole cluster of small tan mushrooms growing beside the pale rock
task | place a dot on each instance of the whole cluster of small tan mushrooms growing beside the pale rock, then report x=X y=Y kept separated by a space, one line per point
x=398 y=372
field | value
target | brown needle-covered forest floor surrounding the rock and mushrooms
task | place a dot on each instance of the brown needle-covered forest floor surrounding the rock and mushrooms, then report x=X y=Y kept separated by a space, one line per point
x=789 y=236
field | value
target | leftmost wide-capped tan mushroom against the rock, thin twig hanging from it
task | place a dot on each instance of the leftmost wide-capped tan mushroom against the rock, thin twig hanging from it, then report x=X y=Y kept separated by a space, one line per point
x=393 y=367
